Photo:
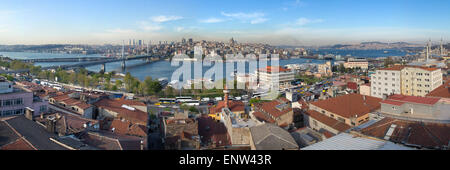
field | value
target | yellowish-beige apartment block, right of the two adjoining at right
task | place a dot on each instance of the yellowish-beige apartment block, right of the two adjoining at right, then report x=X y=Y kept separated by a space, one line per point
x=419 y=81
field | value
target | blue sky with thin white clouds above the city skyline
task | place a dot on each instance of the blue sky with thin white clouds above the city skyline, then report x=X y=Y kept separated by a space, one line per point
x=276 y=22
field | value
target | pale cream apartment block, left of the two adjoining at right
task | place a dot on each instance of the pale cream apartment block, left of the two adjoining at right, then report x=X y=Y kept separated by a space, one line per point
x=386 y=81
